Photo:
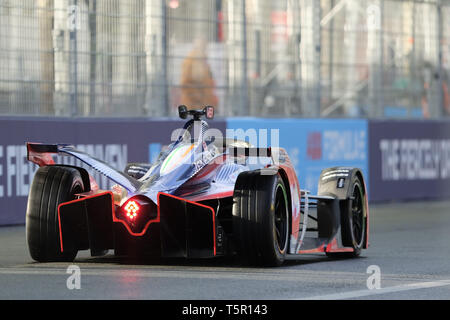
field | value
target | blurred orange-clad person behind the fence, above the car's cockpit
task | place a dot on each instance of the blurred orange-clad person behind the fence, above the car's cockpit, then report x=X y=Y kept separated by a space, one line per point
x=197 y=83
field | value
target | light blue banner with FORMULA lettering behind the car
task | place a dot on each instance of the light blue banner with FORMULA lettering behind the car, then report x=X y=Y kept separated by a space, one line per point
x=312 y=144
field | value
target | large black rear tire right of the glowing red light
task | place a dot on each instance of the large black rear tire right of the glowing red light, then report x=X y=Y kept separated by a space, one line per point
x=261 y=219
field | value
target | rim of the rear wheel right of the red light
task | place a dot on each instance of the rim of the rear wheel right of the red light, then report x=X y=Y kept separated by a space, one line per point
x=281 y=219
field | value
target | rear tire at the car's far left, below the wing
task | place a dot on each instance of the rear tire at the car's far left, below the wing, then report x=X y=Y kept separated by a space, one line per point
x=51 y=186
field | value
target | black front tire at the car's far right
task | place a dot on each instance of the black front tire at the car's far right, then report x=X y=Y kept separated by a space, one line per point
x=353 y=221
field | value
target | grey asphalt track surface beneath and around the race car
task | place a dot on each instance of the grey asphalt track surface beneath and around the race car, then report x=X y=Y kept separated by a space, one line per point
x=410 y=243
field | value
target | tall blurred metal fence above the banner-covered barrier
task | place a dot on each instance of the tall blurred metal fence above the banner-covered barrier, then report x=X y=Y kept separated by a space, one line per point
x=289 y=58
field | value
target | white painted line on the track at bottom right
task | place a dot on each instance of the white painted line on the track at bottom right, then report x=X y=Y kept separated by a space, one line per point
x=367 y=292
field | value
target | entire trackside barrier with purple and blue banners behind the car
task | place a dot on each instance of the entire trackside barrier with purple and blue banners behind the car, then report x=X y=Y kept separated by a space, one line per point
x=401 y=159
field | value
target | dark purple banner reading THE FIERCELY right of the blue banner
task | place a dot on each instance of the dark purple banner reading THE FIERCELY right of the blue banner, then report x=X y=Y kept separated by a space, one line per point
x=409 y=159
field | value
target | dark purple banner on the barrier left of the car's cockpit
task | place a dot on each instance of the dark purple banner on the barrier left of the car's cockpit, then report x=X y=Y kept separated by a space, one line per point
x=115 y=141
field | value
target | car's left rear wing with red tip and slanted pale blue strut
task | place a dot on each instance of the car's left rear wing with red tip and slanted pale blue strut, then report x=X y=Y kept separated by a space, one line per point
x=41 y=154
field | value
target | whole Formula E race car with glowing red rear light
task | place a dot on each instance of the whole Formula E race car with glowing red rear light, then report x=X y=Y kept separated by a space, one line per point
x=205 y=196
